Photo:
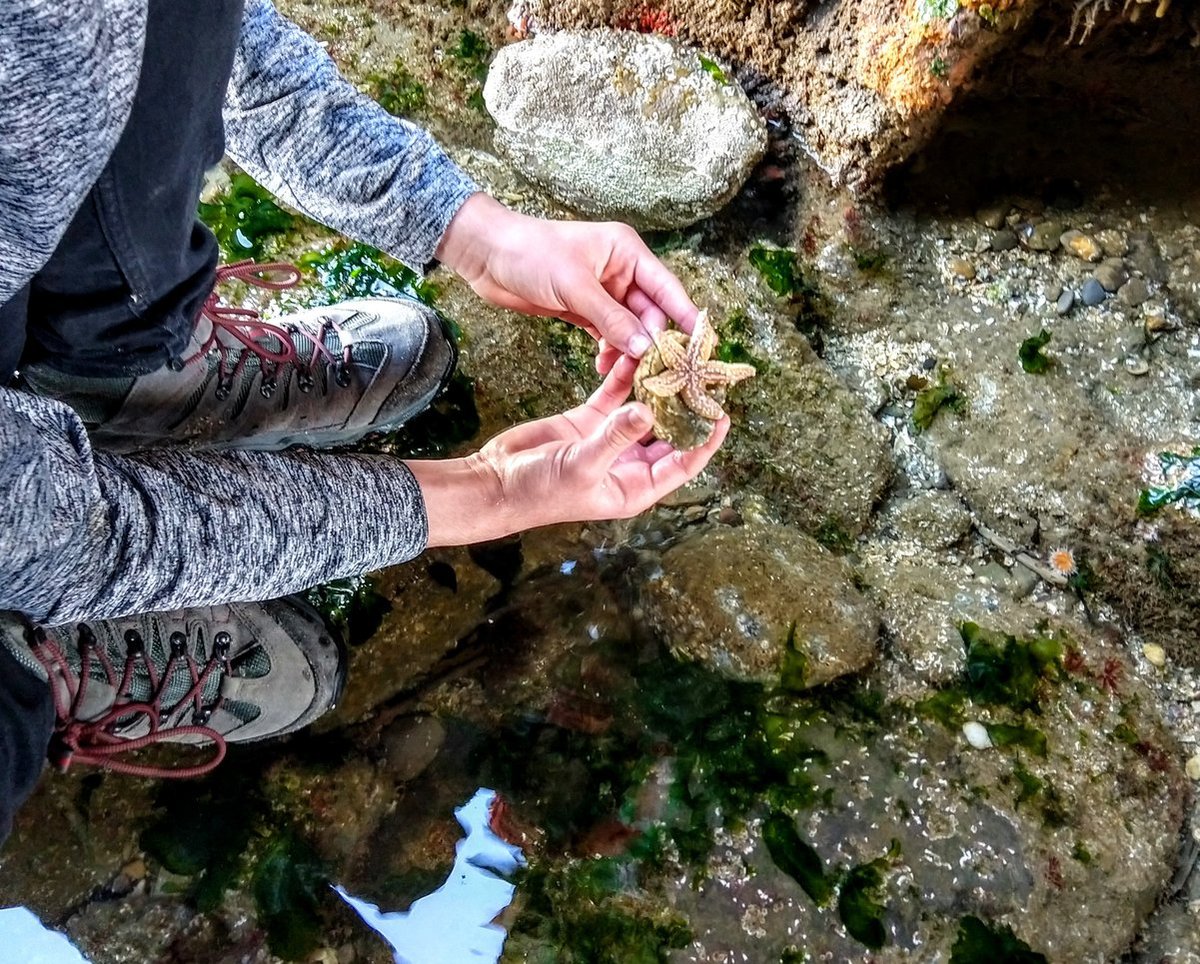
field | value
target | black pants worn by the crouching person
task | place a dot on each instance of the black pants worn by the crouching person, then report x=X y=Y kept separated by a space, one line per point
x=121 y=294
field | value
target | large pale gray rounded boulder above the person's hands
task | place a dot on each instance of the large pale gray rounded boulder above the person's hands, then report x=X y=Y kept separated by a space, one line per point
x=623 y=125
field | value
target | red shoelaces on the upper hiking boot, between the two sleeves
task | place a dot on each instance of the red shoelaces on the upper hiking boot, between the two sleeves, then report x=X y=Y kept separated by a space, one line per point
x=247 y=333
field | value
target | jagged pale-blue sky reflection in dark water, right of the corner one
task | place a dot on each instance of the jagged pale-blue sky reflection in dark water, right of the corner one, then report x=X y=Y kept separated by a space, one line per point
x=454 y=924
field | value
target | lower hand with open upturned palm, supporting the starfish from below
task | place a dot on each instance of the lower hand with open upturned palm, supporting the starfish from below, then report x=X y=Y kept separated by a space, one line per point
x=587 y=464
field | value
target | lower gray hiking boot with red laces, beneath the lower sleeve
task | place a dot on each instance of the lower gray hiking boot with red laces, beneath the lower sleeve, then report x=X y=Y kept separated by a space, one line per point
x=203 y=676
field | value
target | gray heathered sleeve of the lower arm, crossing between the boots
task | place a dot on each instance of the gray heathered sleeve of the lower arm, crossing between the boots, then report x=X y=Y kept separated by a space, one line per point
x=88 y=535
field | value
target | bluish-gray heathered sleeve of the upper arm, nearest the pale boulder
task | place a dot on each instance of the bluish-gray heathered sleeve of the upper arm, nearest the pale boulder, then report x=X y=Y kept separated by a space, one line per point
x=299 y=128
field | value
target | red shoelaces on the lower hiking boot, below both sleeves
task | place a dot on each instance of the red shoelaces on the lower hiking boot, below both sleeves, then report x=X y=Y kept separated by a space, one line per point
x=97 y=743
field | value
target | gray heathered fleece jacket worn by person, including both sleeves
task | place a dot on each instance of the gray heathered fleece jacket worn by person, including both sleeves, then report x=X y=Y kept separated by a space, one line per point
x=86 y=535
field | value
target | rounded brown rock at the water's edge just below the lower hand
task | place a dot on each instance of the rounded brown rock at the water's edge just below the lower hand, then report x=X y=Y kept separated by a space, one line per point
x=759 y=603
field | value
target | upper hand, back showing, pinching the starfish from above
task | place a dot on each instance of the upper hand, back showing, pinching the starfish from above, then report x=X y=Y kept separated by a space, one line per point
x=601 y=277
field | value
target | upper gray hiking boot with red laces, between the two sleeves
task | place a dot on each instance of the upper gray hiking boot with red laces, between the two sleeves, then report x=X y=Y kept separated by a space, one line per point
x=319 y=378
